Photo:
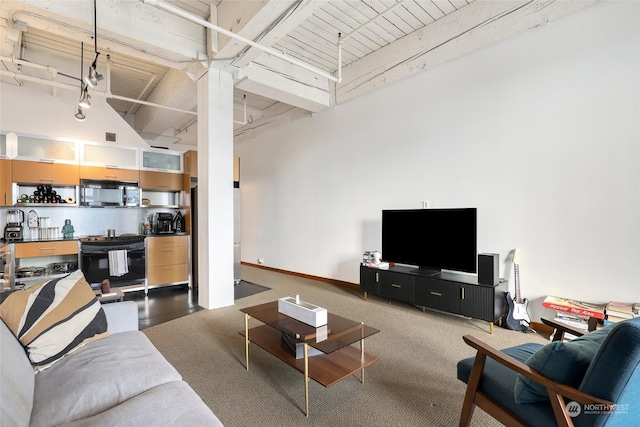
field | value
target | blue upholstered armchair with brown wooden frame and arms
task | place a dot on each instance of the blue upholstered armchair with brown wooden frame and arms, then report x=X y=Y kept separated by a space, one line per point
x=607 y=395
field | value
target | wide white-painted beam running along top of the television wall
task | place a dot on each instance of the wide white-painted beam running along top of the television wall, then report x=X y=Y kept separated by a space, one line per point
x=473 y=27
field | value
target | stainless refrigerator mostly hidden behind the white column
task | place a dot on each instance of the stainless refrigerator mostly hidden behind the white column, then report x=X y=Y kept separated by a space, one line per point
x=236 y=234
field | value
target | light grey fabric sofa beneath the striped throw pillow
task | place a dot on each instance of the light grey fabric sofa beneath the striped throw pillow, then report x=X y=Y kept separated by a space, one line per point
x=118 y=379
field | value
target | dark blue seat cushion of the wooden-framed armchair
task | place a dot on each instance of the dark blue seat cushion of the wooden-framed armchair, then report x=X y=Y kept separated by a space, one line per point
x=498 y=383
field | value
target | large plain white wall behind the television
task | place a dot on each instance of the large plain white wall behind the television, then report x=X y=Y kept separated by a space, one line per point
x=539 y=132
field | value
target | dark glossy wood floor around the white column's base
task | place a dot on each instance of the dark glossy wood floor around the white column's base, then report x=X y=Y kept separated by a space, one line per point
x=164 y=304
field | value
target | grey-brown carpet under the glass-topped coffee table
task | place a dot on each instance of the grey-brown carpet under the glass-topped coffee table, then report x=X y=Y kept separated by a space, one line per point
x=413 y=384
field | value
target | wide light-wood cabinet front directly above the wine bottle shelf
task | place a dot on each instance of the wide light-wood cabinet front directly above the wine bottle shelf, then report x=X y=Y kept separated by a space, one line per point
x=45 y=172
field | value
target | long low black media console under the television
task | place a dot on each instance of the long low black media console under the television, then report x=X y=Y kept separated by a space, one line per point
x=449 y=292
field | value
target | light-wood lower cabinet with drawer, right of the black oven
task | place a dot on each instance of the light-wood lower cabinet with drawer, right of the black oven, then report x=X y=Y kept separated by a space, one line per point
x=167 y=260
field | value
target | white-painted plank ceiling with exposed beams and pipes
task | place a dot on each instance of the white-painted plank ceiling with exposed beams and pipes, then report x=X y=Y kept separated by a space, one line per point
x=155 y=56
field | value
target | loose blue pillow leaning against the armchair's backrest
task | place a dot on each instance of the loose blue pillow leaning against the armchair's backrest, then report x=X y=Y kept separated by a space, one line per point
x=565 y=362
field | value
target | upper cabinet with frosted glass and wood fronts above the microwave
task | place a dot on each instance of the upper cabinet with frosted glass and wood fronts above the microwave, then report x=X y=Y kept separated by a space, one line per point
x=107 y=163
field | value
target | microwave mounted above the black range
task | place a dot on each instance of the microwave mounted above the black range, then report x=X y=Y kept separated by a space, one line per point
x=109 y=194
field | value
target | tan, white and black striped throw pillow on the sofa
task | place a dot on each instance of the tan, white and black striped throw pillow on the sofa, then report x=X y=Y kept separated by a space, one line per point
x=54 y=318
